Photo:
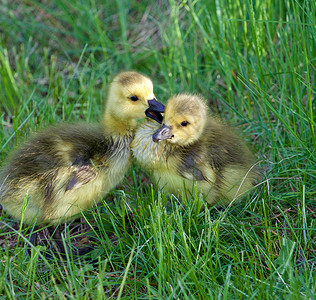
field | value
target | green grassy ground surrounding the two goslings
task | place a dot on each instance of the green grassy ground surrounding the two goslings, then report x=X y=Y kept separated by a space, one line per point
x=254 y=61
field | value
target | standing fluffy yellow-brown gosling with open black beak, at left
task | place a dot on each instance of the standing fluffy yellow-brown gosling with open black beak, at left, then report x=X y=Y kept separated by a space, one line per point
x=65 y=169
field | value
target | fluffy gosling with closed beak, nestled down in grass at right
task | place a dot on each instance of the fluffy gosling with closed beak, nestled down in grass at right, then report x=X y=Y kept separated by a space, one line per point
x=193 y=149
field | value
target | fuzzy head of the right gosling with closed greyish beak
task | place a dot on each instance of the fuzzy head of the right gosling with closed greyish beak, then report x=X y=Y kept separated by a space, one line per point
x=184 y=120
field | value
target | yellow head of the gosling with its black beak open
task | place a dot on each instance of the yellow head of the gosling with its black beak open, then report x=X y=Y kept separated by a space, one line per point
x=131 y=95
